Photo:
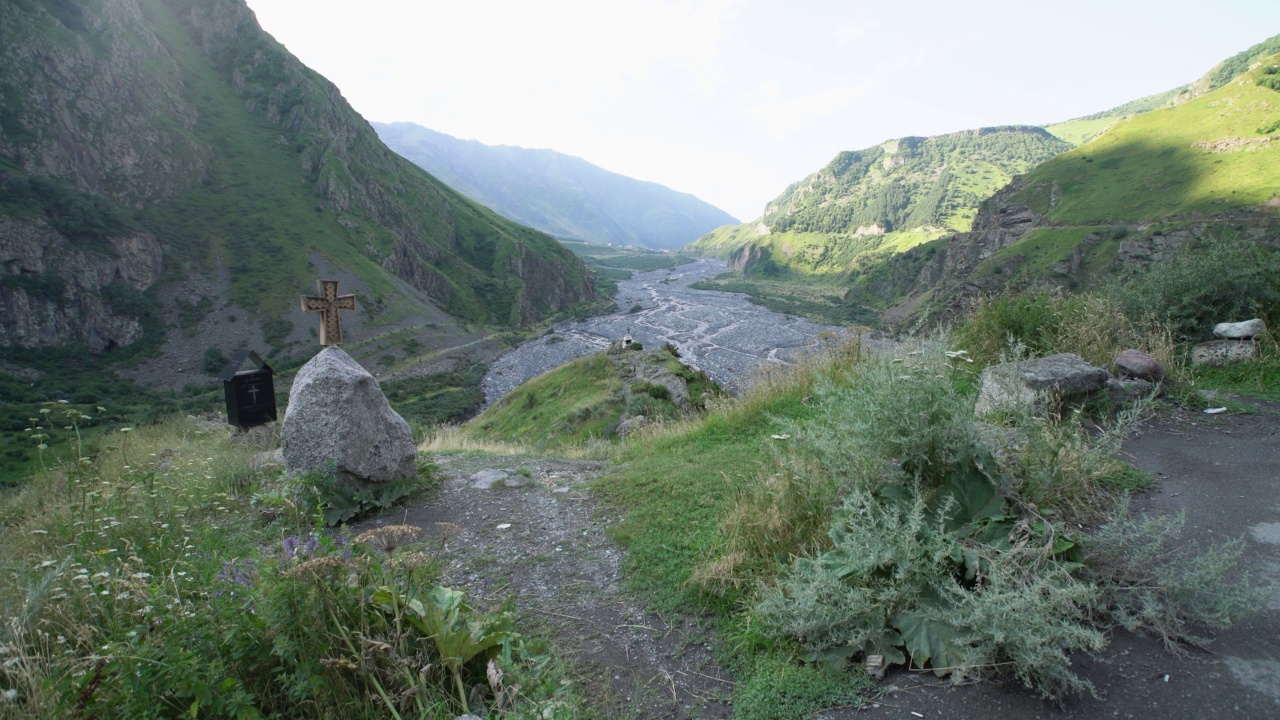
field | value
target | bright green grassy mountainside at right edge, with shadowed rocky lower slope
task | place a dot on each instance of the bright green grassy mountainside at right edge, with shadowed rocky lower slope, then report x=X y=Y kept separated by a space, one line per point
x=1148 y=185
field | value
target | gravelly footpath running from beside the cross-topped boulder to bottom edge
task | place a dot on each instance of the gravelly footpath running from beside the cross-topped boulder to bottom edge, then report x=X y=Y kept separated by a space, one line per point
x=540 y=540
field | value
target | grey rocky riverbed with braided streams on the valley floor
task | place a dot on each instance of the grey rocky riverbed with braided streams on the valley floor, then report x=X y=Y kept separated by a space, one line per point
x=721 y=334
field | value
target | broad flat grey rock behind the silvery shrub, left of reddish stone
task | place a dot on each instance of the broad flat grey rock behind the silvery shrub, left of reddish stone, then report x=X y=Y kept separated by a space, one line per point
x=1028 y=385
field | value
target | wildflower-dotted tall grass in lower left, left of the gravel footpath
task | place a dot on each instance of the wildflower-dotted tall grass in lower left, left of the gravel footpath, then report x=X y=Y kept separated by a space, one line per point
x=163 y=576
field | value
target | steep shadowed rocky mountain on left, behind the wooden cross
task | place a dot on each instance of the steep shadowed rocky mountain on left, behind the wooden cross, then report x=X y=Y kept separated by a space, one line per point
x=164 y=160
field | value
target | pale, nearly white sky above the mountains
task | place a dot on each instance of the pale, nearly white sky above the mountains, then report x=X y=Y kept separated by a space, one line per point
x=733 y=101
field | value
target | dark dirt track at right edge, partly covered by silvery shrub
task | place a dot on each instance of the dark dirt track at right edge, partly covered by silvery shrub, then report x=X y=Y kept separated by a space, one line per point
x=1226 y=473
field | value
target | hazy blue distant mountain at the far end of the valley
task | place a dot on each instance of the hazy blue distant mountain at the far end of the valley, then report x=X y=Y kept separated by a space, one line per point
x=557 y=194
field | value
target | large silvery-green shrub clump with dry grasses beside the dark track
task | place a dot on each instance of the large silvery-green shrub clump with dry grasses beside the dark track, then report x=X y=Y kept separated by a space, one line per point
x=904 y=535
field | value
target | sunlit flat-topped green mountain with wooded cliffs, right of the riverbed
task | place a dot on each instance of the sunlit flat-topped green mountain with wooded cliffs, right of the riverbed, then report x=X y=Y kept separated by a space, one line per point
x=867 y=206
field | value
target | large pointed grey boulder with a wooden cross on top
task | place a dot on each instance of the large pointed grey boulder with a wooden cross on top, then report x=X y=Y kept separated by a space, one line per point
x=339 y=418
